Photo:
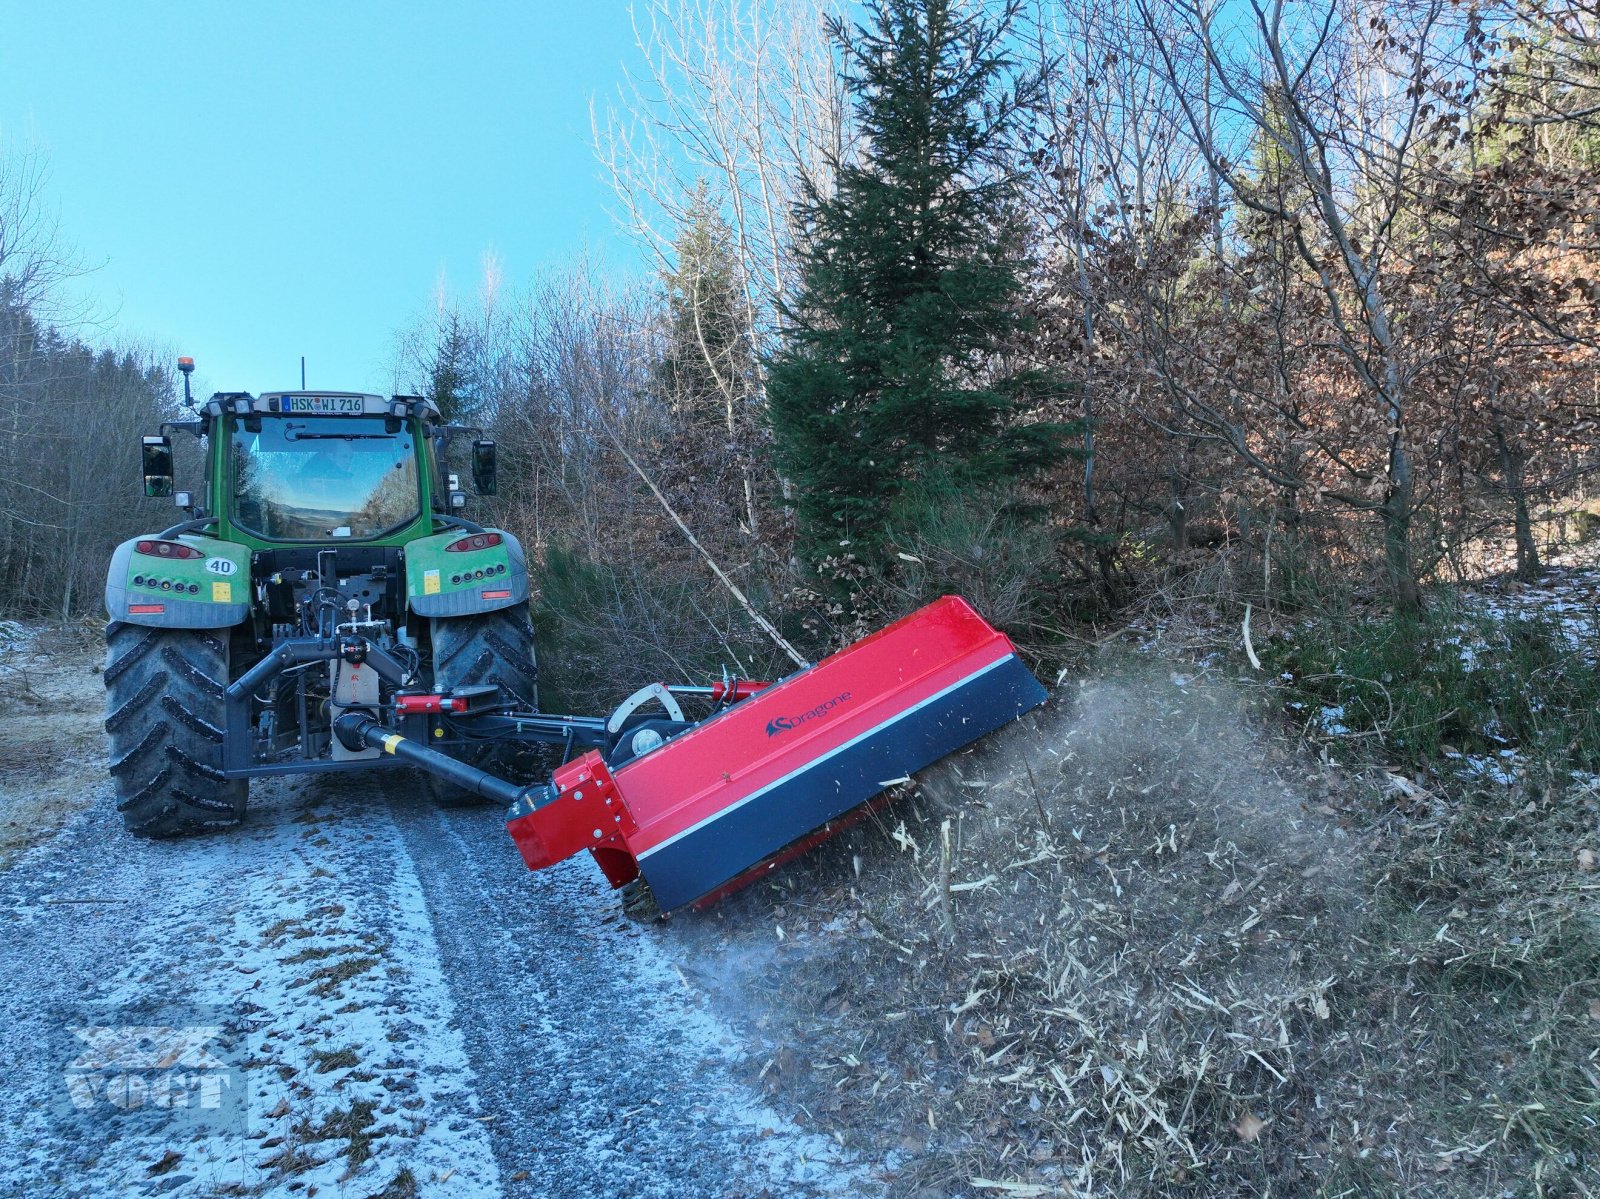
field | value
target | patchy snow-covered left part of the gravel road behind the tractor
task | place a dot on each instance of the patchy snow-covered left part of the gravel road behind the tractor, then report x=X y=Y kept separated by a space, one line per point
x=305 y=937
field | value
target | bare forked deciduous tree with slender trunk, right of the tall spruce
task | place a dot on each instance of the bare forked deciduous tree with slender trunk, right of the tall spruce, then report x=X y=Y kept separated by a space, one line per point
x=1340 y=95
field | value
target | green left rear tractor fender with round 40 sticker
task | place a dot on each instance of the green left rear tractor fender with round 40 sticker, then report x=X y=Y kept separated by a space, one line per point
x=209 y=591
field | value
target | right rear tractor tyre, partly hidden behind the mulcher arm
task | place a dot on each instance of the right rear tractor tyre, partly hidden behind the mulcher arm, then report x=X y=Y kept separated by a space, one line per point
x=495 y=648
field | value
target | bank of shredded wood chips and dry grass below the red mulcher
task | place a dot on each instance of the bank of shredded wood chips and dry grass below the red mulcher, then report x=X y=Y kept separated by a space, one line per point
x=1143 y=947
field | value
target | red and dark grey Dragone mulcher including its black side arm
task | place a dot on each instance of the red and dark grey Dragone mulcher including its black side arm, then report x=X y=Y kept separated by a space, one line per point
x=692 y=809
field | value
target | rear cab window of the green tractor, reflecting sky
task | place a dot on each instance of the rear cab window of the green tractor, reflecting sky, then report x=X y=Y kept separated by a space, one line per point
x=324 y=478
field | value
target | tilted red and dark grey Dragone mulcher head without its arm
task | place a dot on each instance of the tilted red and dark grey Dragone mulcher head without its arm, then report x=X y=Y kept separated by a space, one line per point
x=746 y=784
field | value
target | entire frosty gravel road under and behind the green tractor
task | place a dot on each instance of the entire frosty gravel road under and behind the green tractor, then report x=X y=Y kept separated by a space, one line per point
x=359 y=995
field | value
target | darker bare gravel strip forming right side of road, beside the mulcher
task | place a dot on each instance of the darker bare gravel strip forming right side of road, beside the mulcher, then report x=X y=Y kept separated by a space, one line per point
x=601 y=1073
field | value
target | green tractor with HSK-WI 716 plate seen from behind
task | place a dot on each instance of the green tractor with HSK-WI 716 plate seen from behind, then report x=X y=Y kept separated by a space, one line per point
x=324 y=569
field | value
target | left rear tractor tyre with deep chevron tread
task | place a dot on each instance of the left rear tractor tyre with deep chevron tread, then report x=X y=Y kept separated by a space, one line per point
x=164 y=716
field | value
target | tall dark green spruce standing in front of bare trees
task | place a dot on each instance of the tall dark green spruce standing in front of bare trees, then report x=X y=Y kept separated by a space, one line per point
x=894 y=361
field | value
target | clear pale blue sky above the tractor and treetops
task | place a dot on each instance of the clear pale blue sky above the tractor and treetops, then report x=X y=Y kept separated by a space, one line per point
x=271 y=180
